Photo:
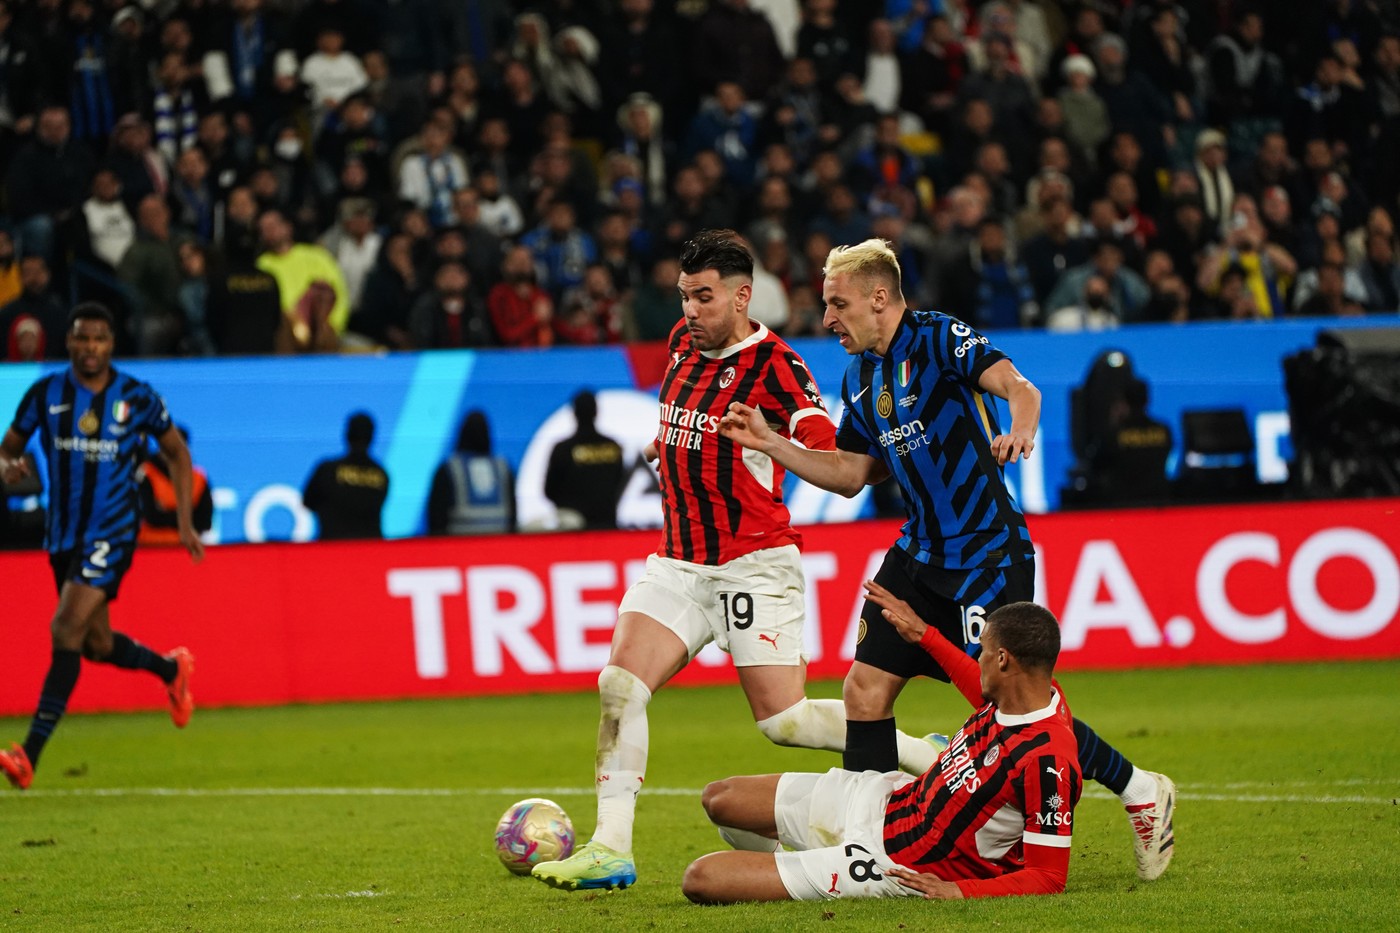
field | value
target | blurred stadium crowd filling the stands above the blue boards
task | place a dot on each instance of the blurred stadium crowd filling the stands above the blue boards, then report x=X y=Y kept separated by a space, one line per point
x=255 y=177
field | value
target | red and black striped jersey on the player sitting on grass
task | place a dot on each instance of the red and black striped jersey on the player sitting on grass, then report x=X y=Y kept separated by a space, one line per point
x=1004 y=785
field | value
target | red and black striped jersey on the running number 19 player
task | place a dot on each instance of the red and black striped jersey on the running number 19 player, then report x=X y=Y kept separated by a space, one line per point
x=722 y=501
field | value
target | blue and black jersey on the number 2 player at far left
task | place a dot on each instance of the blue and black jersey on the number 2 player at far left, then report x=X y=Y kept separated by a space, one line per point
x=92 y=443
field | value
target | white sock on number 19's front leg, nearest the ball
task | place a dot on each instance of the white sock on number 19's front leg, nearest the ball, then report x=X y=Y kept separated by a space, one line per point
x=622 y=754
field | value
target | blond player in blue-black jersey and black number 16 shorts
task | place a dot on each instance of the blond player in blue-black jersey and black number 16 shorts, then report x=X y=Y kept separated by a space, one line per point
x=918 y=410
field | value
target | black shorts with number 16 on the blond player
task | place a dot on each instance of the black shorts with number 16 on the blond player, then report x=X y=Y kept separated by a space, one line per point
x=953 y=602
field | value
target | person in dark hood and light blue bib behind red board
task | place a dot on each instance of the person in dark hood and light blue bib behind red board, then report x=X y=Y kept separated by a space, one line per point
x=474 y=491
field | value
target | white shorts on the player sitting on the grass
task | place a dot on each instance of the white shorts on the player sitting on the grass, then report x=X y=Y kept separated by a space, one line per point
x=835 y=823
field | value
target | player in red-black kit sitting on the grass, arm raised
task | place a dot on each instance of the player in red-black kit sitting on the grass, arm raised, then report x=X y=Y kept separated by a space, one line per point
x=992 y=817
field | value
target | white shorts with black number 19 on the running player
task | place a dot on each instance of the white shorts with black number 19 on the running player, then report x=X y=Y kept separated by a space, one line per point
x=751 y=607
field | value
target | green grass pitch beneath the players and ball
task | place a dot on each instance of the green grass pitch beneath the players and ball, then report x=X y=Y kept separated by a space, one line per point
x=380 y=816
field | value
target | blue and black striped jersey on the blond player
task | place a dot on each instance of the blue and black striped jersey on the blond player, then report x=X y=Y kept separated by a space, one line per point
x=920 y=413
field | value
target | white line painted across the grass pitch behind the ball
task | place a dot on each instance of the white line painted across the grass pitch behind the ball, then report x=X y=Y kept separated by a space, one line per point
x=1186 y=792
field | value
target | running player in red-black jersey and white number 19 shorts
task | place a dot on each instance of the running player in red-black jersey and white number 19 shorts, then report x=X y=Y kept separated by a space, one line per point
x=729 y=568
